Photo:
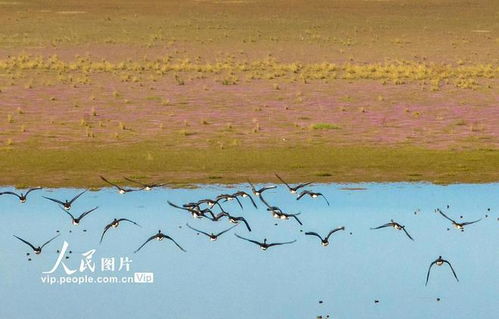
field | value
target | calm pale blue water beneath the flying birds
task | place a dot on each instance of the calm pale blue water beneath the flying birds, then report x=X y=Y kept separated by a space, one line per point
x=363 y=273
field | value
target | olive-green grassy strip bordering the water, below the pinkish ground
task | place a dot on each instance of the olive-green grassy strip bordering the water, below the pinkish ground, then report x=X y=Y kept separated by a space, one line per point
x=80 y=166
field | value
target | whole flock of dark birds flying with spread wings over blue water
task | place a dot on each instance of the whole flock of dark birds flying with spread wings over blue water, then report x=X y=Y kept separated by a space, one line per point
x=205 y=208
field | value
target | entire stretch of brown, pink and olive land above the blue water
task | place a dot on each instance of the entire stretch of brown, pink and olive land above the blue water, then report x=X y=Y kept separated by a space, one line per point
x=222 y=91
